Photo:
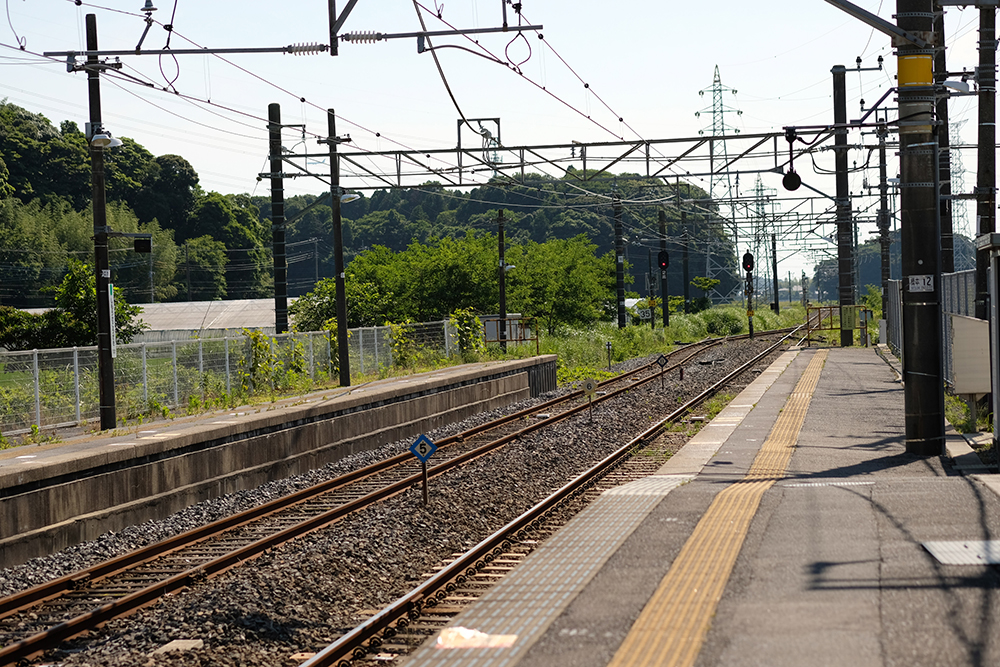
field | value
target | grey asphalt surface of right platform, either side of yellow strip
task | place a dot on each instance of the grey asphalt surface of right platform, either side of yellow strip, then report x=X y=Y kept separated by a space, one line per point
x=835 y=568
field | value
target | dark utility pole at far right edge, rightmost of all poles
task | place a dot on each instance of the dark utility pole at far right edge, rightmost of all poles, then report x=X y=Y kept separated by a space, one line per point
x=986 y=168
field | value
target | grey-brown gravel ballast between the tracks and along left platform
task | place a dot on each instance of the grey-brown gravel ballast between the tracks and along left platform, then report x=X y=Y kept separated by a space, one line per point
x=304 y=594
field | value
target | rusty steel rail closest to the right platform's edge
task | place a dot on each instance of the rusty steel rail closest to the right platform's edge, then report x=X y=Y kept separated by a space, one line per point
x=350 y=646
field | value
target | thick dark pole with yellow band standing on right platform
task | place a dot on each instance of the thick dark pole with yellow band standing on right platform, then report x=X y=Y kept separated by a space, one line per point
x=921 y=255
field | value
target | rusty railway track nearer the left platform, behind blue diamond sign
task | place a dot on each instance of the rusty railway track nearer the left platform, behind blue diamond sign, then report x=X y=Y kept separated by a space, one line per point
x=38 y=619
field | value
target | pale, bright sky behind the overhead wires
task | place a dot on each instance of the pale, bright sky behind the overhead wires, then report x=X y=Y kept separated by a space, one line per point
x=644 y=62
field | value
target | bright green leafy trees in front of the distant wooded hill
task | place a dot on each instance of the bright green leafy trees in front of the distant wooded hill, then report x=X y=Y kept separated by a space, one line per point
x=558 y=282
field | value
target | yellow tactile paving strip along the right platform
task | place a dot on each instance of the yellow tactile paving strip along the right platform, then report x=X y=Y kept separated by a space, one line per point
x=673 y=624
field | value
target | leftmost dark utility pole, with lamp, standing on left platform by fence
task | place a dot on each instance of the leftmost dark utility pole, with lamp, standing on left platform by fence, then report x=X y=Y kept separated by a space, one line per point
x=105 y=358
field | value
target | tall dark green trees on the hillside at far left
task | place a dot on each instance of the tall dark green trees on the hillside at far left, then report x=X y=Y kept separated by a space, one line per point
x=205 y=245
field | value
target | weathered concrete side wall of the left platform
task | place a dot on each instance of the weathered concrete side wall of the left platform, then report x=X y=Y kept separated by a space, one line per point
x=79 y=496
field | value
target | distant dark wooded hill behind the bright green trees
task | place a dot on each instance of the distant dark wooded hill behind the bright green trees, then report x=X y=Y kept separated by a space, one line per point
x=540 y=209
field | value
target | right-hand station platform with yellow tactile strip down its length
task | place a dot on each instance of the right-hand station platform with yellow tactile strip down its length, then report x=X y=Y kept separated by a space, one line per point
x=793 y=530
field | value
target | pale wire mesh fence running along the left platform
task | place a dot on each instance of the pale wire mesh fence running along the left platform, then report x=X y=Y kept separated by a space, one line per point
x=47 y=388
